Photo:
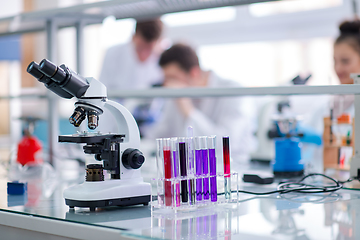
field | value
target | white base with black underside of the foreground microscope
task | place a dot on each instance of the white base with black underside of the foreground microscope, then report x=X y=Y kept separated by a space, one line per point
x=108 y=193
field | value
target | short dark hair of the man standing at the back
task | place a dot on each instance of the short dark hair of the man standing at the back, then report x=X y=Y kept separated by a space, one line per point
x=150 y=30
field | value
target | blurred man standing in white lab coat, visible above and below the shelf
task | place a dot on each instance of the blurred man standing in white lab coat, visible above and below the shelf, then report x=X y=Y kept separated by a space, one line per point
x=134 y=65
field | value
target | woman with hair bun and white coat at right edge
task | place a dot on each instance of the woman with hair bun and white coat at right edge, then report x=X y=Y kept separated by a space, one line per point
x=346 y=61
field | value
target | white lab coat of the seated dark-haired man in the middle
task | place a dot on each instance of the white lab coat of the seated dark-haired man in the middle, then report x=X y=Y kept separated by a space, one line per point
x=220 y=116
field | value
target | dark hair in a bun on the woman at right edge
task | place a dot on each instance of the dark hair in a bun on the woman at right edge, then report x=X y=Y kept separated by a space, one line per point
x=350 y=33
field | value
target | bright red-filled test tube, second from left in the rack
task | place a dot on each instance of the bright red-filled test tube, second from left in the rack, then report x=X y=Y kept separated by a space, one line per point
x=167 y=172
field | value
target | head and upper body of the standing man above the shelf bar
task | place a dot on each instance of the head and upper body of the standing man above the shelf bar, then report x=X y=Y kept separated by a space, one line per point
x=134 y=65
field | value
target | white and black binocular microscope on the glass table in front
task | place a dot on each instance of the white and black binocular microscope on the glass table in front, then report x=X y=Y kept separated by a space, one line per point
x=118 y=152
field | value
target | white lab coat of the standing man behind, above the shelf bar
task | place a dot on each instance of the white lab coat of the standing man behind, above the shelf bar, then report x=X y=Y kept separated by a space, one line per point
x=122 y=69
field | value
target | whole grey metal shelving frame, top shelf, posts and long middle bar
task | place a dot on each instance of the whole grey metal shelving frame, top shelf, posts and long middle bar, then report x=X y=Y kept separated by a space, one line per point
x=80 y=16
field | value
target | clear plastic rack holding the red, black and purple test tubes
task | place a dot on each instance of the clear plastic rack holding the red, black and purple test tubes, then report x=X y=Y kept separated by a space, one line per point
x=173 y=201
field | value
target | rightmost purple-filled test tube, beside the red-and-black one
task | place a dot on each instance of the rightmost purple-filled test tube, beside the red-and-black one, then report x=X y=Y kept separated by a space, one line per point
x=212 y=161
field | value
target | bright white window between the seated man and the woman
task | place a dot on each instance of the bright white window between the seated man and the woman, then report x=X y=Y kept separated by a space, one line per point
x=271 y=63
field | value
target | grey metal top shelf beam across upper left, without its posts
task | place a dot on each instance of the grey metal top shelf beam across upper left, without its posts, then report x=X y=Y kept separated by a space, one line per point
x=94 y=13
